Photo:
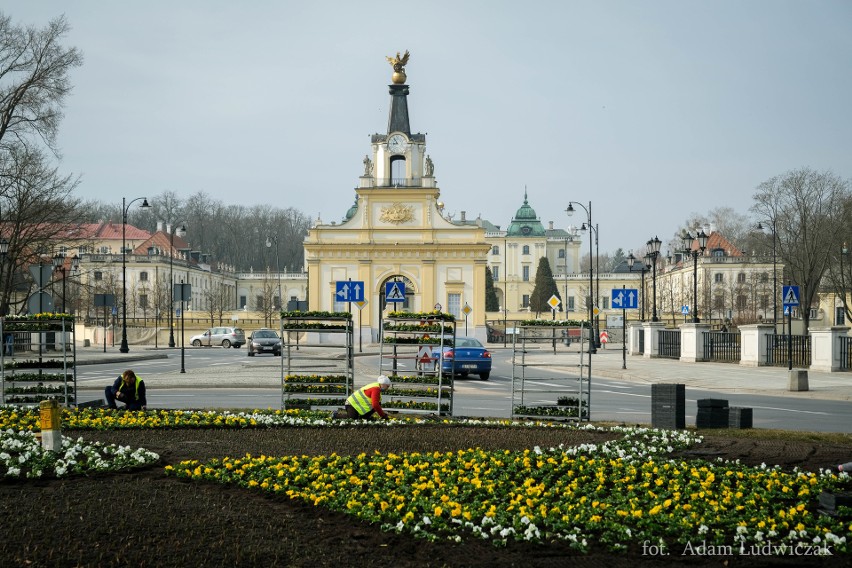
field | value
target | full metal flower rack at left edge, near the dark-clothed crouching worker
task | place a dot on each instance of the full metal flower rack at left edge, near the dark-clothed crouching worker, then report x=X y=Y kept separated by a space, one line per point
x=37 y=361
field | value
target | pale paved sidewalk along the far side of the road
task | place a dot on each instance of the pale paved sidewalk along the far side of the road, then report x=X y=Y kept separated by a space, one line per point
x=609 y=363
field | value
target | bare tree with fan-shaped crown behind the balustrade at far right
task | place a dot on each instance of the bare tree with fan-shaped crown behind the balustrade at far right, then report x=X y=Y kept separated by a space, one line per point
x=805 y=208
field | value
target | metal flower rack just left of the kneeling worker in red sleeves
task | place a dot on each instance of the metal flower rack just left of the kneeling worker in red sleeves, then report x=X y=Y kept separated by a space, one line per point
x=317 y=371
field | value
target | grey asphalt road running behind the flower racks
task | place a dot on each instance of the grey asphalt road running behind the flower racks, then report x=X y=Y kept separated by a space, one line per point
x=611 y=399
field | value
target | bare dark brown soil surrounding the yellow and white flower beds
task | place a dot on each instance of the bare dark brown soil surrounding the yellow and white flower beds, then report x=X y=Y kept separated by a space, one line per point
x=147 y=519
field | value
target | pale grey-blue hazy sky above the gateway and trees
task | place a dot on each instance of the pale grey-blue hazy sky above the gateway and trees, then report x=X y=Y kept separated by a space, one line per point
x=647 y=110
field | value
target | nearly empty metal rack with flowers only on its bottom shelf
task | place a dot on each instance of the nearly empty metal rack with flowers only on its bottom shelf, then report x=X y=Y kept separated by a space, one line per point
x=549 y=384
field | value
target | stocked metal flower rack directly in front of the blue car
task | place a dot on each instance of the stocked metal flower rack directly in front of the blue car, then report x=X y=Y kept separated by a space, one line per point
x=419 y=384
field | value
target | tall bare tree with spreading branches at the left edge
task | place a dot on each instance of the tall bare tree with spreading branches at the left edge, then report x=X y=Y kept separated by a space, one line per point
x=34 y=198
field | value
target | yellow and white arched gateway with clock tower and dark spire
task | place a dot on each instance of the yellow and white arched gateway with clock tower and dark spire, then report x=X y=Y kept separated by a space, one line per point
x=396 y=231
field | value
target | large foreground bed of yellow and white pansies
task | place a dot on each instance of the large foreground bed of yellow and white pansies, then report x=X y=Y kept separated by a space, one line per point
x=614 y=494
